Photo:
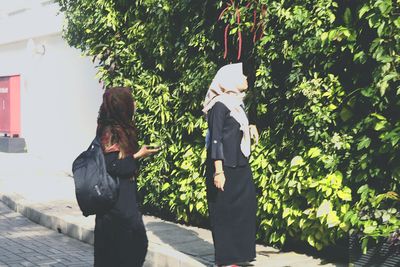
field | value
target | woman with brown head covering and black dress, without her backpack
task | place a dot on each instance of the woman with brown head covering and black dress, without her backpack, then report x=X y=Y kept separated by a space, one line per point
x=120 y=235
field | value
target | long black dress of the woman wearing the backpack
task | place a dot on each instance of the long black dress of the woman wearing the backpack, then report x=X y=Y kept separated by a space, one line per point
x=120 y=238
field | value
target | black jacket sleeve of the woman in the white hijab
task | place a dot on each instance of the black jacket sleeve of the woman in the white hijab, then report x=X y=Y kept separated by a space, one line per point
x=216 y=119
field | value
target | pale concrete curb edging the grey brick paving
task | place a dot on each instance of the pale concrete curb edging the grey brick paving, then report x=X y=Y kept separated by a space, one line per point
x=157 y=255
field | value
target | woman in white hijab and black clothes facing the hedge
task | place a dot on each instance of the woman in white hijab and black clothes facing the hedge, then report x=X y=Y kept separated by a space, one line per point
x=230 y=189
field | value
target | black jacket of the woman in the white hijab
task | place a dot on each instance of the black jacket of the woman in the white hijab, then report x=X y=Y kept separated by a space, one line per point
x=225 y=137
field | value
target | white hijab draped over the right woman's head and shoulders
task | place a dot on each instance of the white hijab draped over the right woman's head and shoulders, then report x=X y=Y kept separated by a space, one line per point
x=224 y=89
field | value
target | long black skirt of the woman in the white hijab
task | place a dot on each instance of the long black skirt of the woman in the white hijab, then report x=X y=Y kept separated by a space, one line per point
x=233 y=215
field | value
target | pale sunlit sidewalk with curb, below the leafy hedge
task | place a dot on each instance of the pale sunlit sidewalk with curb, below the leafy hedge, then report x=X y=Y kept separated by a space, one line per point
x=47 y=197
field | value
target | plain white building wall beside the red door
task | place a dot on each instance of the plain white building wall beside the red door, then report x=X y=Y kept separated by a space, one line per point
x=60 y=95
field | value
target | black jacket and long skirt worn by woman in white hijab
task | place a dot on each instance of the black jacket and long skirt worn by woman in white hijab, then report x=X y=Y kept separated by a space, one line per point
x=232 y=211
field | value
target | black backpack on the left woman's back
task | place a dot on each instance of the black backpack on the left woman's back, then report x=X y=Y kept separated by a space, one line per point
x=96 y=191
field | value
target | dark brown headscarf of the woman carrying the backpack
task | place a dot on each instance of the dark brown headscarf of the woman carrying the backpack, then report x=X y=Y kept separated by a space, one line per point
x=115 y=123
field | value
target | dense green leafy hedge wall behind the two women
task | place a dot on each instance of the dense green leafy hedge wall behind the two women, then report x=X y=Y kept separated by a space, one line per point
x=324 y=93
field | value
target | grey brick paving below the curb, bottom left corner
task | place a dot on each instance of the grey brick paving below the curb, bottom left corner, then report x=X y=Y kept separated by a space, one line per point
x=24 y=243
